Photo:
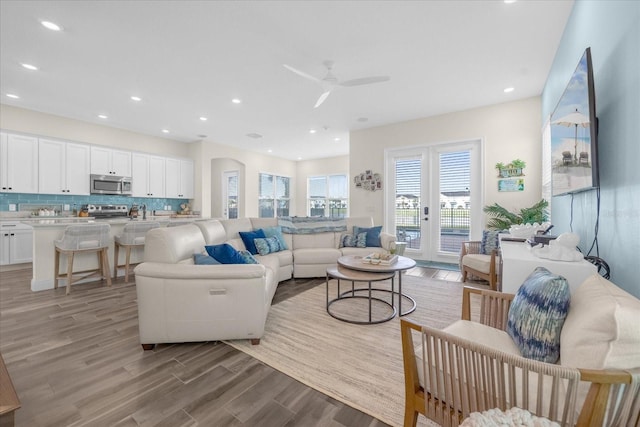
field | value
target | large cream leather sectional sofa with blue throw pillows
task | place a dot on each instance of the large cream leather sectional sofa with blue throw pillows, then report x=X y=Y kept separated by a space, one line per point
x=182 y=302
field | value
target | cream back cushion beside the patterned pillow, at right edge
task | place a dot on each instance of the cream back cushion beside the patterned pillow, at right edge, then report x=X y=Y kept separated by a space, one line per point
x=602 y=329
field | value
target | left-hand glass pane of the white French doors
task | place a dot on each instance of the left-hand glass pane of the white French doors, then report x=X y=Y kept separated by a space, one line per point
x=407 y=200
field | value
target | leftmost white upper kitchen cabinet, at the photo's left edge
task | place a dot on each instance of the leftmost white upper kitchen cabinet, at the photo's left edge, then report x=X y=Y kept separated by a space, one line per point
x=18 y=163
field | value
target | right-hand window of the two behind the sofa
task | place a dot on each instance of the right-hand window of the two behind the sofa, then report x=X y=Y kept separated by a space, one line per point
x=328 y=196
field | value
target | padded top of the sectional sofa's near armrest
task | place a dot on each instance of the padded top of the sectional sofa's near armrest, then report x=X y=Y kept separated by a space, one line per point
x=189 y=271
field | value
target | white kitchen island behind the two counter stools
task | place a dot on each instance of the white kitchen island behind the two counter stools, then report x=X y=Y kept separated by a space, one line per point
x=46 y=231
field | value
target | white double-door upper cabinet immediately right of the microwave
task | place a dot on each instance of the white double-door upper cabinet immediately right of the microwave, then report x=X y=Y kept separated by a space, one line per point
x=148 y=175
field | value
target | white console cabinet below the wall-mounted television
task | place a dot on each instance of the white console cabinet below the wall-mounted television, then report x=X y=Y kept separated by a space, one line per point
x=518 y=261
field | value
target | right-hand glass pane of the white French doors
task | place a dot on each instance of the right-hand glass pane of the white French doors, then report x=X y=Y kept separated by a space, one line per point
x=455 y=200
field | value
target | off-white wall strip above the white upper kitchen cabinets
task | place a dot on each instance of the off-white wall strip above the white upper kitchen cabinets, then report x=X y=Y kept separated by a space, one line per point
x=42 y=124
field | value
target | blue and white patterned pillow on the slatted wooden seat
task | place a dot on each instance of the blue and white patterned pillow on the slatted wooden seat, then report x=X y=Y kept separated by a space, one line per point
x=537 y=314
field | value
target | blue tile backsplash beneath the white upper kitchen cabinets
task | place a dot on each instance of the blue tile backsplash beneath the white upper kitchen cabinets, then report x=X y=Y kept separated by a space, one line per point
x=55 y=199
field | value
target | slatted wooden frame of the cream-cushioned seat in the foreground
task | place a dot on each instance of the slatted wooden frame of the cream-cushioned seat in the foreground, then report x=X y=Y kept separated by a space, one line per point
x=464 y=377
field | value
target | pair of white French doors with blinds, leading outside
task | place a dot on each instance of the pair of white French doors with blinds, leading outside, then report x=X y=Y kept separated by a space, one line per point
x=433 y=197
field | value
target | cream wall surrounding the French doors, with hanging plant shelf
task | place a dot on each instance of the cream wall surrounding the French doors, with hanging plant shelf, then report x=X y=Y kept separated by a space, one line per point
x=509 y=131
